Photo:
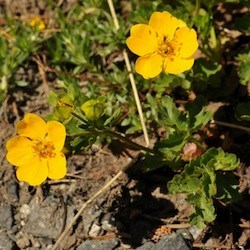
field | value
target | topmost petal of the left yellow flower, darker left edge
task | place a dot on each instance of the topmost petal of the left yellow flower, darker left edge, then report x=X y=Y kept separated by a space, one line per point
x=32 y=126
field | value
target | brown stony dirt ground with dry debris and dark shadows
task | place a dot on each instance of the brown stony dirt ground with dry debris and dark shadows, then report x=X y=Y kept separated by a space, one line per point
x=136 y=212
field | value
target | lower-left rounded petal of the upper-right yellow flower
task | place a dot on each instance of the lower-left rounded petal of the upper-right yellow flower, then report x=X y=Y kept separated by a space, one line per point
x=149 y=66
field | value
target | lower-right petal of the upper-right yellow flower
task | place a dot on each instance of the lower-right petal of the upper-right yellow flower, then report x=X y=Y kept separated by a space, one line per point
x=177 y=65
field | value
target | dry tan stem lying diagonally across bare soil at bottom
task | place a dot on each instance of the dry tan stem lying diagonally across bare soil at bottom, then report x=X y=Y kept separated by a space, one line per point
x=72 y=222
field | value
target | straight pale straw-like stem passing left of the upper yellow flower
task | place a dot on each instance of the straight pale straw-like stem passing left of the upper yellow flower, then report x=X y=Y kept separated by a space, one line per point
x=131 y=76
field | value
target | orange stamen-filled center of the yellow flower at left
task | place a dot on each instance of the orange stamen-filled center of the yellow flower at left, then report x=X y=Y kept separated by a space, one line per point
x=44 y=149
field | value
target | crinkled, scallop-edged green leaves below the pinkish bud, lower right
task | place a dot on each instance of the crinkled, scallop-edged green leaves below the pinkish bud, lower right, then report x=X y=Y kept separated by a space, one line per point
x=202 y=181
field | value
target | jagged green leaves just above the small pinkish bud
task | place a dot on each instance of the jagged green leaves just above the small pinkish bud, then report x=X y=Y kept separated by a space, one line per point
x=179 y=125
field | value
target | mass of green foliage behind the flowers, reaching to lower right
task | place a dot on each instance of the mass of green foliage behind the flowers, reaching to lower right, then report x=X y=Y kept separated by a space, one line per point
x=92 y=93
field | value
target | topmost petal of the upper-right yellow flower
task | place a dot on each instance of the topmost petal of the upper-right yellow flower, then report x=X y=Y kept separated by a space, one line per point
x=164 y=23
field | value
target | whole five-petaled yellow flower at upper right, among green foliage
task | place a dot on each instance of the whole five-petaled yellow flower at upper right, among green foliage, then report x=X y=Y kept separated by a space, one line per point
x=164 y=44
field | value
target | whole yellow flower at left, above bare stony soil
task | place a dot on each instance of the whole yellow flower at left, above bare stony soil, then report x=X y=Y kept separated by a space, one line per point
x=37 y=150
